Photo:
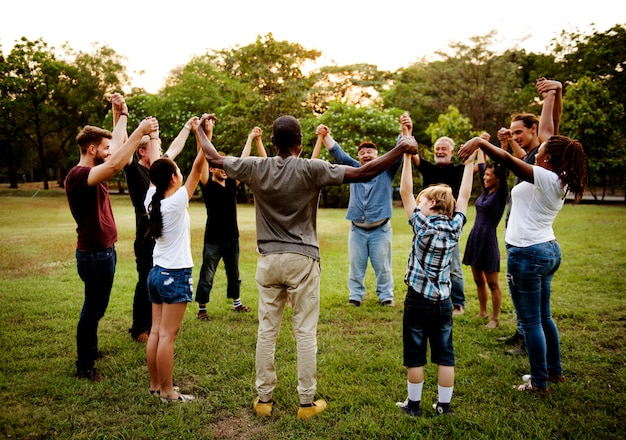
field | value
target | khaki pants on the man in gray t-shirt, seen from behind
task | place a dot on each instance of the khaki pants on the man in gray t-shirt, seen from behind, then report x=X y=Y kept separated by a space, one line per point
x=277 y=276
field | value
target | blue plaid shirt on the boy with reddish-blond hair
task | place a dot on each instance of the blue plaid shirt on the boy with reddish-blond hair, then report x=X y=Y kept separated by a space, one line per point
x=428 y=269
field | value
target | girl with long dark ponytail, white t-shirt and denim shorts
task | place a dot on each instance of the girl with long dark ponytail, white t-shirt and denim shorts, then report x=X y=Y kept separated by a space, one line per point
x=170 y=284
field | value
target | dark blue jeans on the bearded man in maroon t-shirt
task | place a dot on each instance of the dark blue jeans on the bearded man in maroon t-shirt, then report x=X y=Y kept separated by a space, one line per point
x=97 y=270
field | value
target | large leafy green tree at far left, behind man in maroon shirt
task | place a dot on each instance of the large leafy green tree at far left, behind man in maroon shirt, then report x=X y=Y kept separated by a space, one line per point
x=46 y=97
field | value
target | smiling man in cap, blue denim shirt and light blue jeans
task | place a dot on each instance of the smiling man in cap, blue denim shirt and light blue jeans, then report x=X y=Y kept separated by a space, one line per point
x=369 y=211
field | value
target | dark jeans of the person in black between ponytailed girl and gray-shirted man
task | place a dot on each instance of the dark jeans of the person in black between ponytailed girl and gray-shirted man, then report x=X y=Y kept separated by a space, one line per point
x=211 y=255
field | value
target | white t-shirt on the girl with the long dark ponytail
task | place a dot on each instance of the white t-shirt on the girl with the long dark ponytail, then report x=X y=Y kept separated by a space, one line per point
x=173 y=248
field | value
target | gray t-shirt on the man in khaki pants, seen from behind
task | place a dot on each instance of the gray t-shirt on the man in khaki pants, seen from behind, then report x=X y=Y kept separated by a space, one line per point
x=286 y=194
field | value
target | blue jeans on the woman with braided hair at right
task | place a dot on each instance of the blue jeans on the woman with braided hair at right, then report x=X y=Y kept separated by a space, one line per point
x=530 y=272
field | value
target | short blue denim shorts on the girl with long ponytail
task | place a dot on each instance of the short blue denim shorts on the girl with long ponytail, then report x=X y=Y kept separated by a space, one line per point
x=170 y=286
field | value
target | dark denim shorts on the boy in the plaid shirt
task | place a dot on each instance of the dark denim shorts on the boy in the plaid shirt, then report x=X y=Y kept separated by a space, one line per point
x=425 y=321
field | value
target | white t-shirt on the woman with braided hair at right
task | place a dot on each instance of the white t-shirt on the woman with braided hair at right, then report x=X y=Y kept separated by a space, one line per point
x=534 y=208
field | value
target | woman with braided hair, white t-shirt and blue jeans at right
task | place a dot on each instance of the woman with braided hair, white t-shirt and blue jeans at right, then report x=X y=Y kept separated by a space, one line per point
x=533 y=254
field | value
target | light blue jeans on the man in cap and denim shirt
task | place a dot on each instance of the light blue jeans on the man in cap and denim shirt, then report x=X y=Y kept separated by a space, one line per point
x=375 y=245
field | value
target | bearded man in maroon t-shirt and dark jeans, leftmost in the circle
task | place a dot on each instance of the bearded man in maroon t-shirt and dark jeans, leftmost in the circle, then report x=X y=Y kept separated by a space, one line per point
x=102 y=155
